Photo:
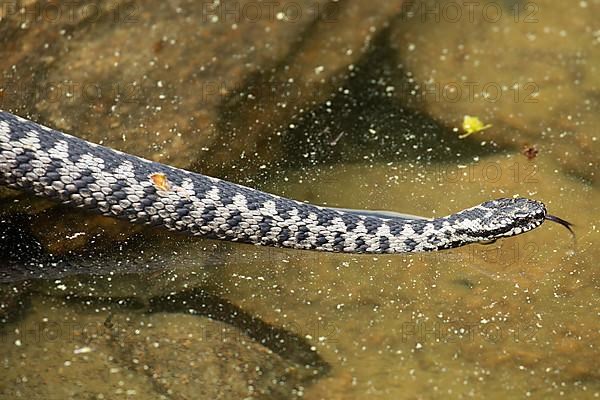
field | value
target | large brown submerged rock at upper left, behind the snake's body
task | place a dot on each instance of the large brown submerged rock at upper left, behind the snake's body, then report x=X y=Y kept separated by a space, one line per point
x=198 y=85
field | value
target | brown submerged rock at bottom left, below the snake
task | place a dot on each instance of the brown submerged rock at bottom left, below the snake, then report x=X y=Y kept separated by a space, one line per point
x=103 y=354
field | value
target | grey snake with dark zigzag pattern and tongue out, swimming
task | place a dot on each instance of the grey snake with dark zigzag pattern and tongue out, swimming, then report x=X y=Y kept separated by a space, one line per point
x=55 y=165
